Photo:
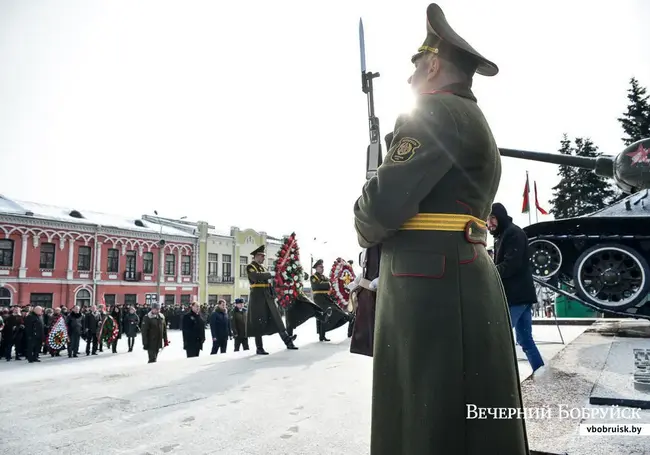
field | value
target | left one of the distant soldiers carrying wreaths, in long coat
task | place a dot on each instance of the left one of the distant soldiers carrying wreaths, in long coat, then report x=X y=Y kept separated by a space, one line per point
x=263 y=314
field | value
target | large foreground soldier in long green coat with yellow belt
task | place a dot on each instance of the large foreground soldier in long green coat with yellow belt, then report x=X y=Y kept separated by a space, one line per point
x=442 y=332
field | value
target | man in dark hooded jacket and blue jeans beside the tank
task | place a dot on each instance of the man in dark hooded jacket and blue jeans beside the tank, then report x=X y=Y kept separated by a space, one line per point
x=513 y=265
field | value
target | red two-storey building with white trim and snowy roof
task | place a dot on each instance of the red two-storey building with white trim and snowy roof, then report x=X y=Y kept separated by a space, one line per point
x=53 y=256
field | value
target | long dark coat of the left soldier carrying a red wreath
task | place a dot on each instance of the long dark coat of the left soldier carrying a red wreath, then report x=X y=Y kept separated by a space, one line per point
x=263 y=314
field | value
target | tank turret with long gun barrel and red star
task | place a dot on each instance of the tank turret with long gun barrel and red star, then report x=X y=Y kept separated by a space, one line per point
x=630 y=169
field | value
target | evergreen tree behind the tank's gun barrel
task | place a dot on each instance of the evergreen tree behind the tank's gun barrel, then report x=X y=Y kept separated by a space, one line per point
x=580 y=191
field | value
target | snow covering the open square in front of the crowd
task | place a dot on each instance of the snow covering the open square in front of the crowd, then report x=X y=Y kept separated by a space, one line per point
x=313 y=401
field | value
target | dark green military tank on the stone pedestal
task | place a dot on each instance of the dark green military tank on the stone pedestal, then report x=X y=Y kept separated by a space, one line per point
x=600 y=259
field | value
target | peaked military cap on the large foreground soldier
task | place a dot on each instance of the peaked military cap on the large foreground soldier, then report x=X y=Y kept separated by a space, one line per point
x=443 y=40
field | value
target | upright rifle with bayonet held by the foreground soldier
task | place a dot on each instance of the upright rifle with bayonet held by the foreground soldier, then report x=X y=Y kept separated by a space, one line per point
x=364 y=323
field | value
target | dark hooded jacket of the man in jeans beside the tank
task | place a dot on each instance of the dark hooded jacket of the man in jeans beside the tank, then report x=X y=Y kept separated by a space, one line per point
x=511 y=259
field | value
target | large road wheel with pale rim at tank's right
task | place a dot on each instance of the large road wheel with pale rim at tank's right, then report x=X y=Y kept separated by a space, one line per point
x=612 y=277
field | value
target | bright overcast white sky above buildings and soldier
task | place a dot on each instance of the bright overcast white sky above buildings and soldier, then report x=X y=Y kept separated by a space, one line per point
x=198 y=108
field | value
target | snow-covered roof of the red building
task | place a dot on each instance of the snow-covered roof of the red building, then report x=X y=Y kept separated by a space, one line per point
x=75 y=216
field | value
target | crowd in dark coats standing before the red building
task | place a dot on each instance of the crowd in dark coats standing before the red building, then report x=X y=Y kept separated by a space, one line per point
x=26 y=332
